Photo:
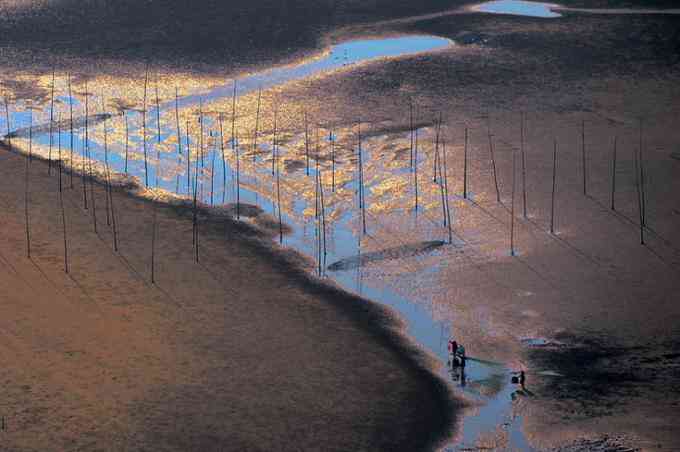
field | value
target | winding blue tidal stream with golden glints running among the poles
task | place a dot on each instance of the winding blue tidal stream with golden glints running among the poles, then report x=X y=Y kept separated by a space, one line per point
x=167 y=170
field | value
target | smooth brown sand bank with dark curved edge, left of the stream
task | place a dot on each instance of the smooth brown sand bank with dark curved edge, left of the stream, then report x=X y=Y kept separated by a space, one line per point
x=240 y=352
